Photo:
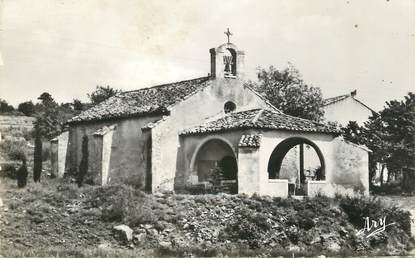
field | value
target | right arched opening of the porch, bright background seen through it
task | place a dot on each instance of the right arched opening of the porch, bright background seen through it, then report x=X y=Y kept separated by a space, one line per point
x=298 y=160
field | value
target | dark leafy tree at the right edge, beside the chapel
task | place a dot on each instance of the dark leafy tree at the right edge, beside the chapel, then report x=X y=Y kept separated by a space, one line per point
x=390 y=135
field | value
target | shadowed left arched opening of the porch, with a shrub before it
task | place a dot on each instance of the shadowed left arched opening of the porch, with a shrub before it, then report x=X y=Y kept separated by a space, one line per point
x=217 y=167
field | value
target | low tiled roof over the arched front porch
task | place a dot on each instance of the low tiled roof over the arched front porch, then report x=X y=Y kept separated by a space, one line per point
x=261 y=119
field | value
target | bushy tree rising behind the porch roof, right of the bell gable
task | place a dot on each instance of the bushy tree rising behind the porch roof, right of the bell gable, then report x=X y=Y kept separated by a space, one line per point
x=287 y=91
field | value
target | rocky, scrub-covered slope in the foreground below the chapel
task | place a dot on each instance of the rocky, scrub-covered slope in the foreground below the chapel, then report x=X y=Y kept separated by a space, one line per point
x=58 y=218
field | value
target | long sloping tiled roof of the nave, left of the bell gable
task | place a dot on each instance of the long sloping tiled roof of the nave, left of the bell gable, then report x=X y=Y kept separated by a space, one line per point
x=154 y=100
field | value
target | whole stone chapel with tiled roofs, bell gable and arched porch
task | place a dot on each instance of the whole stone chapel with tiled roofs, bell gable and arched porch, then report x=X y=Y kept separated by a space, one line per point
x=193 y=133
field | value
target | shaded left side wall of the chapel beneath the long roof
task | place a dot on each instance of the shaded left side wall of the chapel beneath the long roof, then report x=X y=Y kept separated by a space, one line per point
x=128 y=159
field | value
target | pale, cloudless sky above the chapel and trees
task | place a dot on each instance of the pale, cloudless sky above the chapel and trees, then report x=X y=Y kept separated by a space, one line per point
x=68 y=47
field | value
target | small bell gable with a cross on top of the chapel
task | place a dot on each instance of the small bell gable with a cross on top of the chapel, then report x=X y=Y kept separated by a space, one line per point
x=226 y=61
